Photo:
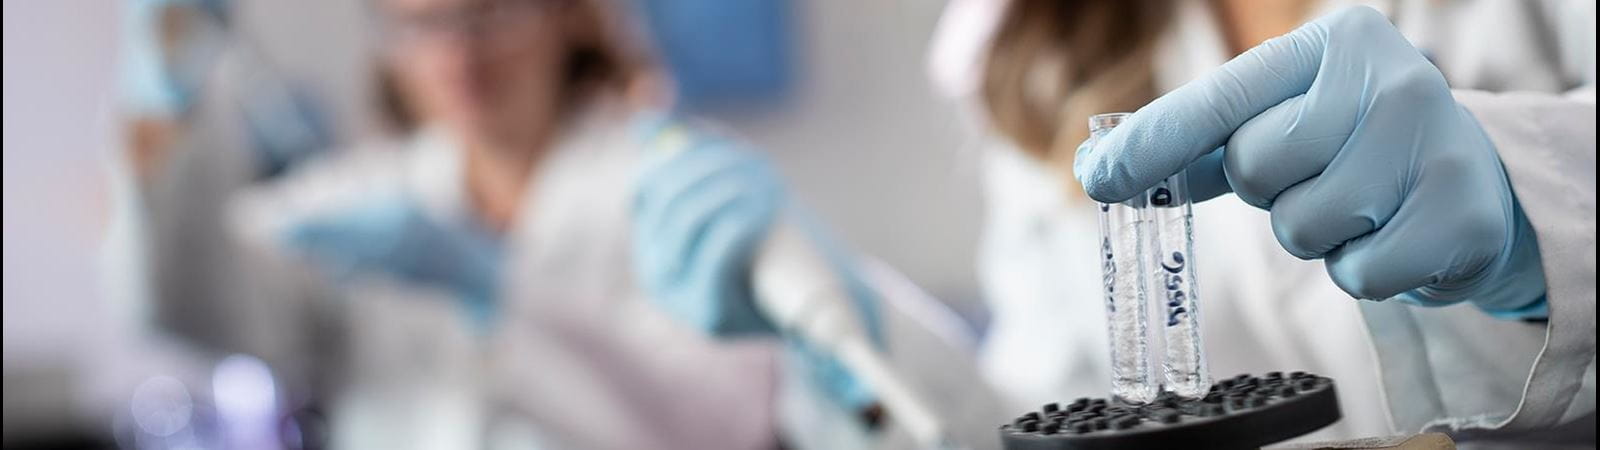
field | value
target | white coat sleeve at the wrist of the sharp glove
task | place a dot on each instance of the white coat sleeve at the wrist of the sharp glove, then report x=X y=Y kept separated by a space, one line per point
x=1548 y=147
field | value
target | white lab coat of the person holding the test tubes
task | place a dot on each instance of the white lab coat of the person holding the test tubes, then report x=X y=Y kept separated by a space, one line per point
x=1399 y=369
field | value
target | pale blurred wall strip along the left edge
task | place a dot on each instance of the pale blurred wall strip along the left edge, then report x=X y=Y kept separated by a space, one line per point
x=60 y=63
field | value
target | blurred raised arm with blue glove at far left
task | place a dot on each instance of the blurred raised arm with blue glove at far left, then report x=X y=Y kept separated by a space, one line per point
x=206 y=115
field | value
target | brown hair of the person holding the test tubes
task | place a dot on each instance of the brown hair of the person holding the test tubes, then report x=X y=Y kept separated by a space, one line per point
x=1055 y=63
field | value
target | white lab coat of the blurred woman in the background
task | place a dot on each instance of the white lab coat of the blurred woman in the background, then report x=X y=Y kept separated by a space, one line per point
x=578 y=356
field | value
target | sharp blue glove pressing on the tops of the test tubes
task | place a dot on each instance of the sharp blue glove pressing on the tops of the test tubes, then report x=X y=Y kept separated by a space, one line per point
x=1356 y=145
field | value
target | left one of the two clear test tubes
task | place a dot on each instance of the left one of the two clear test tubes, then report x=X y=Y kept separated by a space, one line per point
x=1124 y=241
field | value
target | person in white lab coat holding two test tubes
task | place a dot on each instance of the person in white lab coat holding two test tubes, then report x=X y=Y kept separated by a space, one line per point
x=1502 y=352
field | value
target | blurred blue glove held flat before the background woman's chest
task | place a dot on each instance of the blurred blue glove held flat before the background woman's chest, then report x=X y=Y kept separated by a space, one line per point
x=396 y=239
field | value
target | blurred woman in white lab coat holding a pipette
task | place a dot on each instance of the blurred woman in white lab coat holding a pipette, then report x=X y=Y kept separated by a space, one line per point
x=484 y=265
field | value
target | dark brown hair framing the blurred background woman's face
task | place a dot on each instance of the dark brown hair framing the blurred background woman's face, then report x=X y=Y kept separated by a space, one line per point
x=599 y=62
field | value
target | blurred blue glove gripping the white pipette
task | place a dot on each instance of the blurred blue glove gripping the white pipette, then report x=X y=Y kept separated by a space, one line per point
x=702 y=211
